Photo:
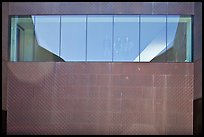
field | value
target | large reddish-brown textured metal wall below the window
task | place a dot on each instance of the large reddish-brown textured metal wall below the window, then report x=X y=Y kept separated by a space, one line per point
x=100 y=98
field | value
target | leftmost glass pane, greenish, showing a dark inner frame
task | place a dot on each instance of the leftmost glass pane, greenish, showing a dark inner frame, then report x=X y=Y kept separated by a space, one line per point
x=22 y=38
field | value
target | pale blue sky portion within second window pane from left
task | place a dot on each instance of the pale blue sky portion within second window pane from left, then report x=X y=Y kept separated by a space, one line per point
x=47 y=30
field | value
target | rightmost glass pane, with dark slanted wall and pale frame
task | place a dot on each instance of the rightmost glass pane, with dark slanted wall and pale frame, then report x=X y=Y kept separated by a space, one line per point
x=179 y=39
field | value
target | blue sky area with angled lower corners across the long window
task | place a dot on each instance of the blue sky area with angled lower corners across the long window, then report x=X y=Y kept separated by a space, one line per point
x=100 y=37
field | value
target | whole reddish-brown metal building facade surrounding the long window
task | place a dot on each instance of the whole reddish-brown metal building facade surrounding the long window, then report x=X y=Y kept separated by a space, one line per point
x=102 y=97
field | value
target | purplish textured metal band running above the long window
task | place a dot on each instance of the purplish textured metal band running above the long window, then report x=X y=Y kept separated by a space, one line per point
x=23 y=8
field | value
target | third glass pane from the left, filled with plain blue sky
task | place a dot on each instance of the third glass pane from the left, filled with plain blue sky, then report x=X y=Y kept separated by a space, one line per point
x=73 y=38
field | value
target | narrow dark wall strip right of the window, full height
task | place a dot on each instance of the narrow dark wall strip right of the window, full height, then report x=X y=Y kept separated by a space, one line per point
x=197 y=124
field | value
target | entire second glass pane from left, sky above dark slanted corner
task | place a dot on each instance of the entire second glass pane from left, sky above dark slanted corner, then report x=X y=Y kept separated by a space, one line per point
x=47 y=31
